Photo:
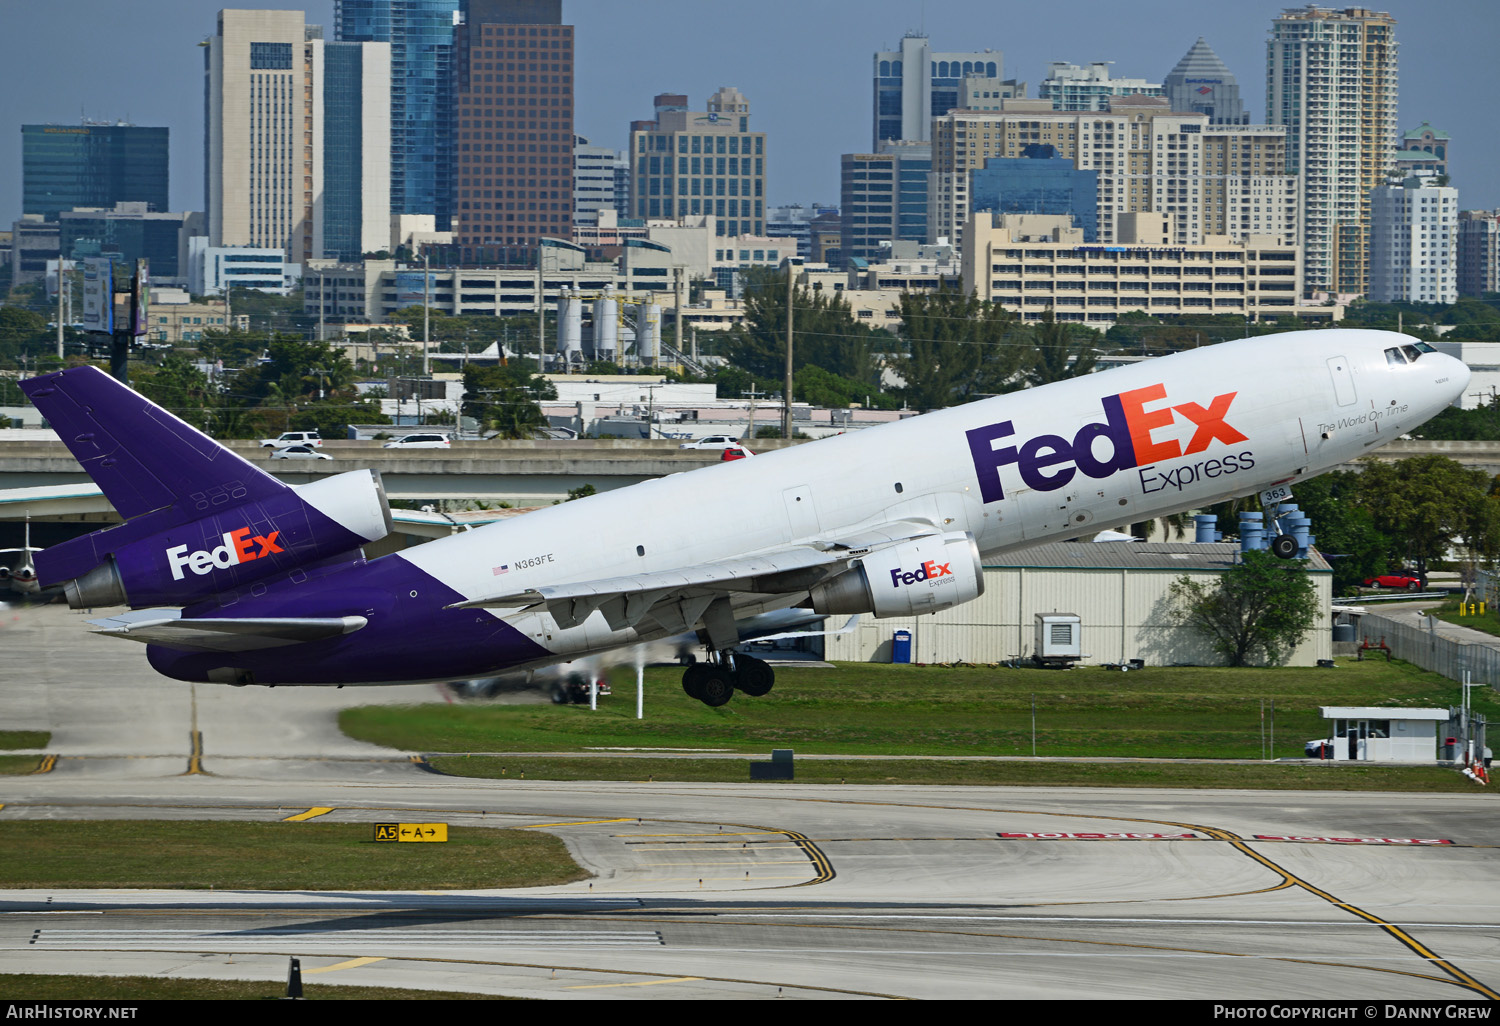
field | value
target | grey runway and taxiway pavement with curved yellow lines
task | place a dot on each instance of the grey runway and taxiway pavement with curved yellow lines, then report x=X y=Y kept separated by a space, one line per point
x=740 y=890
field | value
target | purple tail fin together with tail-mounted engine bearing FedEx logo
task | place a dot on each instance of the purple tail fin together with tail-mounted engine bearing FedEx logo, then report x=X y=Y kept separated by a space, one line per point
x=200 y=521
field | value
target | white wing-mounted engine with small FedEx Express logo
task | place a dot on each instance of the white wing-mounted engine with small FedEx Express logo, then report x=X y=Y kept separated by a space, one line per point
x=907 y=580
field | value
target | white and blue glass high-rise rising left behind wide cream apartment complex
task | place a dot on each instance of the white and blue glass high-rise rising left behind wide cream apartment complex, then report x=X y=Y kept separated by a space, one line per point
x=916 y=85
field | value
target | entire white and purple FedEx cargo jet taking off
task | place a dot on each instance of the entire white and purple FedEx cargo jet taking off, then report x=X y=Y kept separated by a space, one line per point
x=236 y=578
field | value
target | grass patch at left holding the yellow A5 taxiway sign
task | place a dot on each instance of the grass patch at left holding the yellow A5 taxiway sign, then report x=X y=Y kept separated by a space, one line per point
x=274 y=857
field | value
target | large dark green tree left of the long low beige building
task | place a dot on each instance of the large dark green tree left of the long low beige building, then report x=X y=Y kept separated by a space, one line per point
x=958 y=349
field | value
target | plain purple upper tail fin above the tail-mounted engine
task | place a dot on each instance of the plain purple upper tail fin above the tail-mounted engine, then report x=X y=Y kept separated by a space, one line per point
x=142 y=457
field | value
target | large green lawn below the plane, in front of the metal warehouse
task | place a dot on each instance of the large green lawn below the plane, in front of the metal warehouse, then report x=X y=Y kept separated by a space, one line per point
x=1210 y=713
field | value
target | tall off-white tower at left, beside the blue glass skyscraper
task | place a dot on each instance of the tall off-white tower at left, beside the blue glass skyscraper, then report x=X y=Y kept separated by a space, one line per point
x=263 y=160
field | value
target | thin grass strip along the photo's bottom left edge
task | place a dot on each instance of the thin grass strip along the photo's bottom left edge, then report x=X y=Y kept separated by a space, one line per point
x=43 y=988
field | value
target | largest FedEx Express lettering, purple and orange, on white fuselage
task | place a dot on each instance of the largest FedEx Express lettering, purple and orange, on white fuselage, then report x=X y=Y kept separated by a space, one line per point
x=1048 y=463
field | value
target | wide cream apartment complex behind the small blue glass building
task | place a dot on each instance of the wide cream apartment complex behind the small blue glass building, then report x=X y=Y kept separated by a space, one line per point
x=1208 y=179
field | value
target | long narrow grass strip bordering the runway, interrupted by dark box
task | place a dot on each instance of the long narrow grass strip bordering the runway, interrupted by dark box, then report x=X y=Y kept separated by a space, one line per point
x=920 y=772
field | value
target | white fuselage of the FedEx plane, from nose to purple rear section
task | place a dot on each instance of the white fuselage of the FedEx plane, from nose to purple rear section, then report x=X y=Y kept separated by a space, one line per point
x=1019 y=470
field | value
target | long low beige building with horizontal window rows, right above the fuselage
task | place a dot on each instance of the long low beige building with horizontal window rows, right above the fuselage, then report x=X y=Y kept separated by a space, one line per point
x=1034 y=263
